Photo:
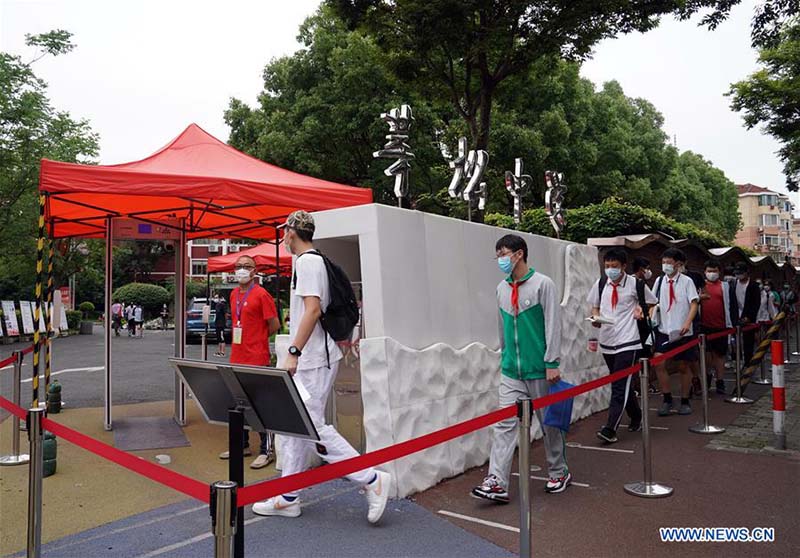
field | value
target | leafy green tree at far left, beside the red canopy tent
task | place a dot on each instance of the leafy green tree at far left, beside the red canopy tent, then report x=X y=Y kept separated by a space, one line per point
x=30 y=129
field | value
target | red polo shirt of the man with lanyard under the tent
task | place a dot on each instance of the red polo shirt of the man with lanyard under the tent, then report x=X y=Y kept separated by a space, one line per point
x=253 y=311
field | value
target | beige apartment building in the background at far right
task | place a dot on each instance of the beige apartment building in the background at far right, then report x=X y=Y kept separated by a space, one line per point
x=768 y=224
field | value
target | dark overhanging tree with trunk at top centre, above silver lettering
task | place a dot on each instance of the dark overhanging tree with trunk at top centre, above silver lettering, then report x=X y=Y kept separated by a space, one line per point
x=465 y=50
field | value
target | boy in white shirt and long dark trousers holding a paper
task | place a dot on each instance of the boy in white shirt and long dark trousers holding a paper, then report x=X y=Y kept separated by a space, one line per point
x=621 y=298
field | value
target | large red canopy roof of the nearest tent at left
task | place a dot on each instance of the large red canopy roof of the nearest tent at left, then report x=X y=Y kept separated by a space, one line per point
x=220 y=191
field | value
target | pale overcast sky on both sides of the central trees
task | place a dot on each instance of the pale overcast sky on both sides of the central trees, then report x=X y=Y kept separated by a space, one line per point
x=144 y=70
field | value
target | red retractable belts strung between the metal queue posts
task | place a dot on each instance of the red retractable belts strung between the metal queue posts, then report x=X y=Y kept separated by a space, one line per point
x=274 y=487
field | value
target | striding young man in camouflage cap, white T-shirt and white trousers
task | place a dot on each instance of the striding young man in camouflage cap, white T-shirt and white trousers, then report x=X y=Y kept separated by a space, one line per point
x=313 y=361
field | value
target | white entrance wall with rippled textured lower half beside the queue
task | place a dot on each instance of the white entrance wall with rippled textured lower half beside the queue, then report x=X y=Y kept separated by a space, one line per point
x=429 y=358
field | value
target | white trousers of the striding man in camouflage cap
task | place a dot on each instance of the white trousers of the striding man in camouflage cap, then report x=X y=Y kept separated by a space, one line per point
x=332 y=446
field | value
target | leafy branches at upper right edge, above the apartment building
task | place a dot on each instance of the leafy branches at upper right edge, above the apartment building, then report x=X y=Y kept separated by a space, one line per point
x=770 y=97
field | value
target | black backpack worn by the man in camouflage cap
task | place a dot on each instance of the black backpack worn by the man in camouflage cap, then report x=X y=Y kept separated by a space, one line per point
x=341 y=316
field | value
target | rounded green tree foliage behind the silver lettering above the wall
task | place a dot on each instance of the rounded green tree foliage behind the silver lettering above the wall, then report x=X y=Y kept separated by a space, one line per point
x=318 y=114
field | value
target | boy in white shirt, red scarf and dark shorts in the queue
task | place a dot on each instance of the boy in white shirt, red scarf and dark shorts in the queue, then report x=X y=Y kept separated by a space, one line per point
x=677 y=306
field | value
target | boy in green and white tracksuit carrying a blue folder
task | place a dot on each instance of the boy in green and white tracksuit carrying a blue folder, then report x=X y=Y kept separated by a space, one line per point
x=530 y=338
